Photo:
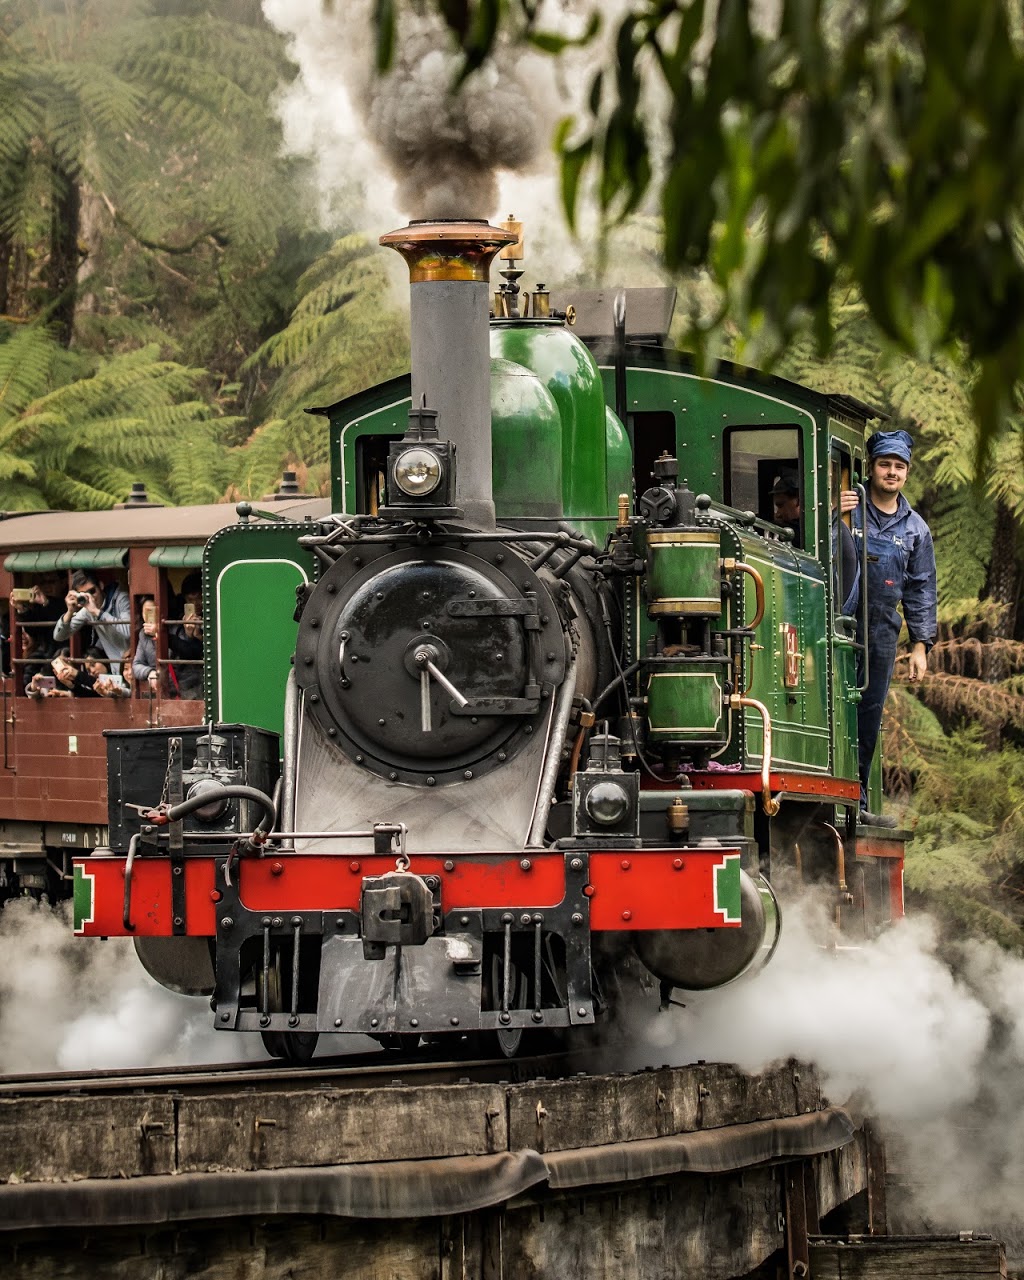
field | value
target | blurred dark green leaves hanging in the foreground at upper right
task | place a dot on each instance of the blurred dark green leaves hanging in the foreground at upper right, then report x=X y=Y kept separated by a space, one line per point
x=872 y=141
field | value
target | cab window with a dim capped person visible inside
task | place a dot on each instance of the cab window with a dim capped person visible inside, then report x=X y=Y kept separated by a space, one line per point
x=765 y=474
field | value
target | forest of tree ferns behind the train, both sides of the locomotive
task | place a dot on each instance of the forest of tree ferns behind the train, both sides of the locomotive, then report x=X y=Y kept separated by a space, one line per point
x=176 y=291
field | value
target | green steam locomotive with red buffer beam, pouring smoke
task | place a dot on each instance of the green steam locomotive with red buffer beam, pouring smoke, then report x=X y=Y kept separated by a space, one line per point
x=548 y=696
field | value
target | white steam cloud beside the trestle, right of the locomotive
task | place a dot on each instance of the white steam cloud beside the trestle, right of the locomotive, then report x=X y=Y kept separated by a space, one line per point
x=927 y=1037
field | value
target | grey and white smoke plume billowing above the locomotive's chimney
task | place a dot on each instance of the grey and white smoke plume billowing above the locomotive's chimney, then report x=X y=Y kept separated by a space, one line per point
x=444 y=153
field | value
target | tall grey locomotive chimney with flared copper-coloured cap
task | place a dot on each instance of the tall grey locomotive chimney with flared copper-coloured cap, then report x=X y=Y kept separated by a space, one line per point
x=450 y=275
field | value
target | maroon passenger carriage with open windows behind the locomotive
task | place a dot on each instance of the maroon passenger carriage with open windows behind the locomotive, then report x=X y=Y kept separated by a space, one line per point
x=53 y=783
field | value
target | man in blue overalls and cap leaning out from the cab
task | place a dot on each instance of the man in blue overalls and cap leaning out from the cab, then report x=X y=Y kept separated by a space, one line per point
x=902 y=570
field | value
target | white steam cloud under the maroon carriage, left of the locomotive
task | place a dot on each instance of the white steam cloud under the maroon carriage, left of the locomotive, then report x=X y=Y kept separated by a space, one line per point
x=79 y=1004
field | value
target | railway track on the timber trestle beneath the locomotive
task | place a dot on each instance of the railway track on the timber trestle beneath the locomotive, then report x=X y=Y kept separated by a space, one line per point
x=354 y=1072
